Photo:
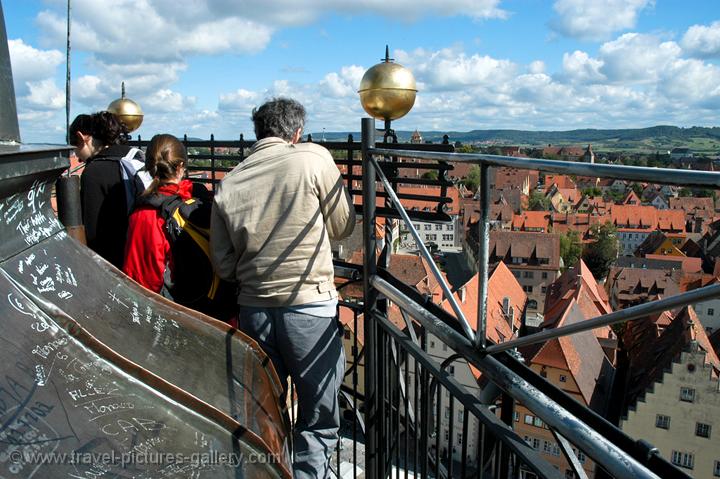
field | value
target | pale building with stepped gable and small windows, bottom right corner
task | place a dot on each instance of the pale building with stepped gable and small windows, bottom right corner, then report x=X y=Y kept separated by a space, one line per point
x=672 y=399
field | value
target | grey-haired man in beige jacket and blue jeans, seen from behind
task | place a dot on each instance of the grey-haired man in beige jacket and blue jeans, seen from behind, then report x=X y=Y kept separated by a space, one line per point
x=273 y=218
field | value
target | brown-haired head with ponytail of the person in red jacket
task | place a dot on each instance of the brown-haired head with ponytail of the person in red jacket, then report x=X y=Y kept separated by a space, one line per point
x=165 y=160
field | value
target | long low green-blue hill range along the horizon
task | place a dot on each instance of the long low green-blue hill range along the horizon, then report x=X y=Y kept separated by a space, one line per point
x=652 y=138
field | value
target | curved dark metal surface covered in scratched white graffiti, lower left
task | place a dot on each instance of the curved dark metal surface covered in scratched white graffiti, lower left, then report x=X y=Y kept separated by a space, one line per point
x=92 y=362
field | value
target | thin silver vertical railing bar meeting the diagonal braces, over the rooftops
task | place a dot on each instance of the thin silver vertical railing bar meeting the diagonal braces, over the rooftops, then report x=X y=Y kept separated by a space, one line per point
x=483 y=255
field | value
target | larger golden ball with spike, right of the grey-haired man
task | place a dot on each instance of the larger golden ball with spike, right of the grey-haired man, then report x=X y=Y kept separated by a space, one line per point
x=387 y=90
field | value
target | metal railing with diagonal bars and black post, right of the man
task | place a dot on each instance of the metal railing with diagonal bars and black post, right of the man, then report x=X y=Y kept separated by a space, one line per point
x=575 y=427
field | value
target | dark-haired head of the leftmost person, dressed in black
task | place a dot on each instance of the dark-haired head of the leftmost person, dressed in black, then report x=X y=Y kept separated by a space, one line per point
x=90 y=134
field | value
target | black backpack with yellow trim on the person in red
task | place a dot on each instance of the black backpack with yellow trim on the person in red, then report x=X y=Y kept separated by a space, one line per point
x=194 y=283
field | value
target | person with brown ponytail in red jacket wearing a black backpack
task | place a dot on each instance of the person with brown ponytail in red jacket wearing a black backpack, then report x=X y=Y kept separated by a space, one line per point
x=168 y=239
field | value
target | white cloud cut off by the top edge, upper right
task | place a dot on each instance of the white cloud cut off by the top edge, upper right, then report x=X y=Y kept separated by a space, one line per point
x=596 y=19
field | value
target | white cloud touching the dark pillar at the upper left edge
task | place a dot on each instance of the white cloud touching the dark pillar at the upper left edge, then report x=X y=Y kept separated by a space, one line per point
x=31 y=64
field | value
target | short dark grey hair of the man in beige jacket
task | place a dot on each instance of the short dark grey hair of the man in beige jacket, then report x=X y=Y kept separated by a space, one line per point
x=279 y=117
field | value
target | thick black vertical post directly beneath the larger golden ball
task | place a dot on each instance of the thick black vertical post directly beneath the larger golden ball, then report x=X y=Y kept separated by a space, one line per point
x=373 y=457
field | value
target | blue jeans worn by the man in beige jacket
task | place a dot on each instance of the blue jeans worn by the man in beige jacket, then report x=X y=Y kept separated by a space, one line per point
x=309 y=349
